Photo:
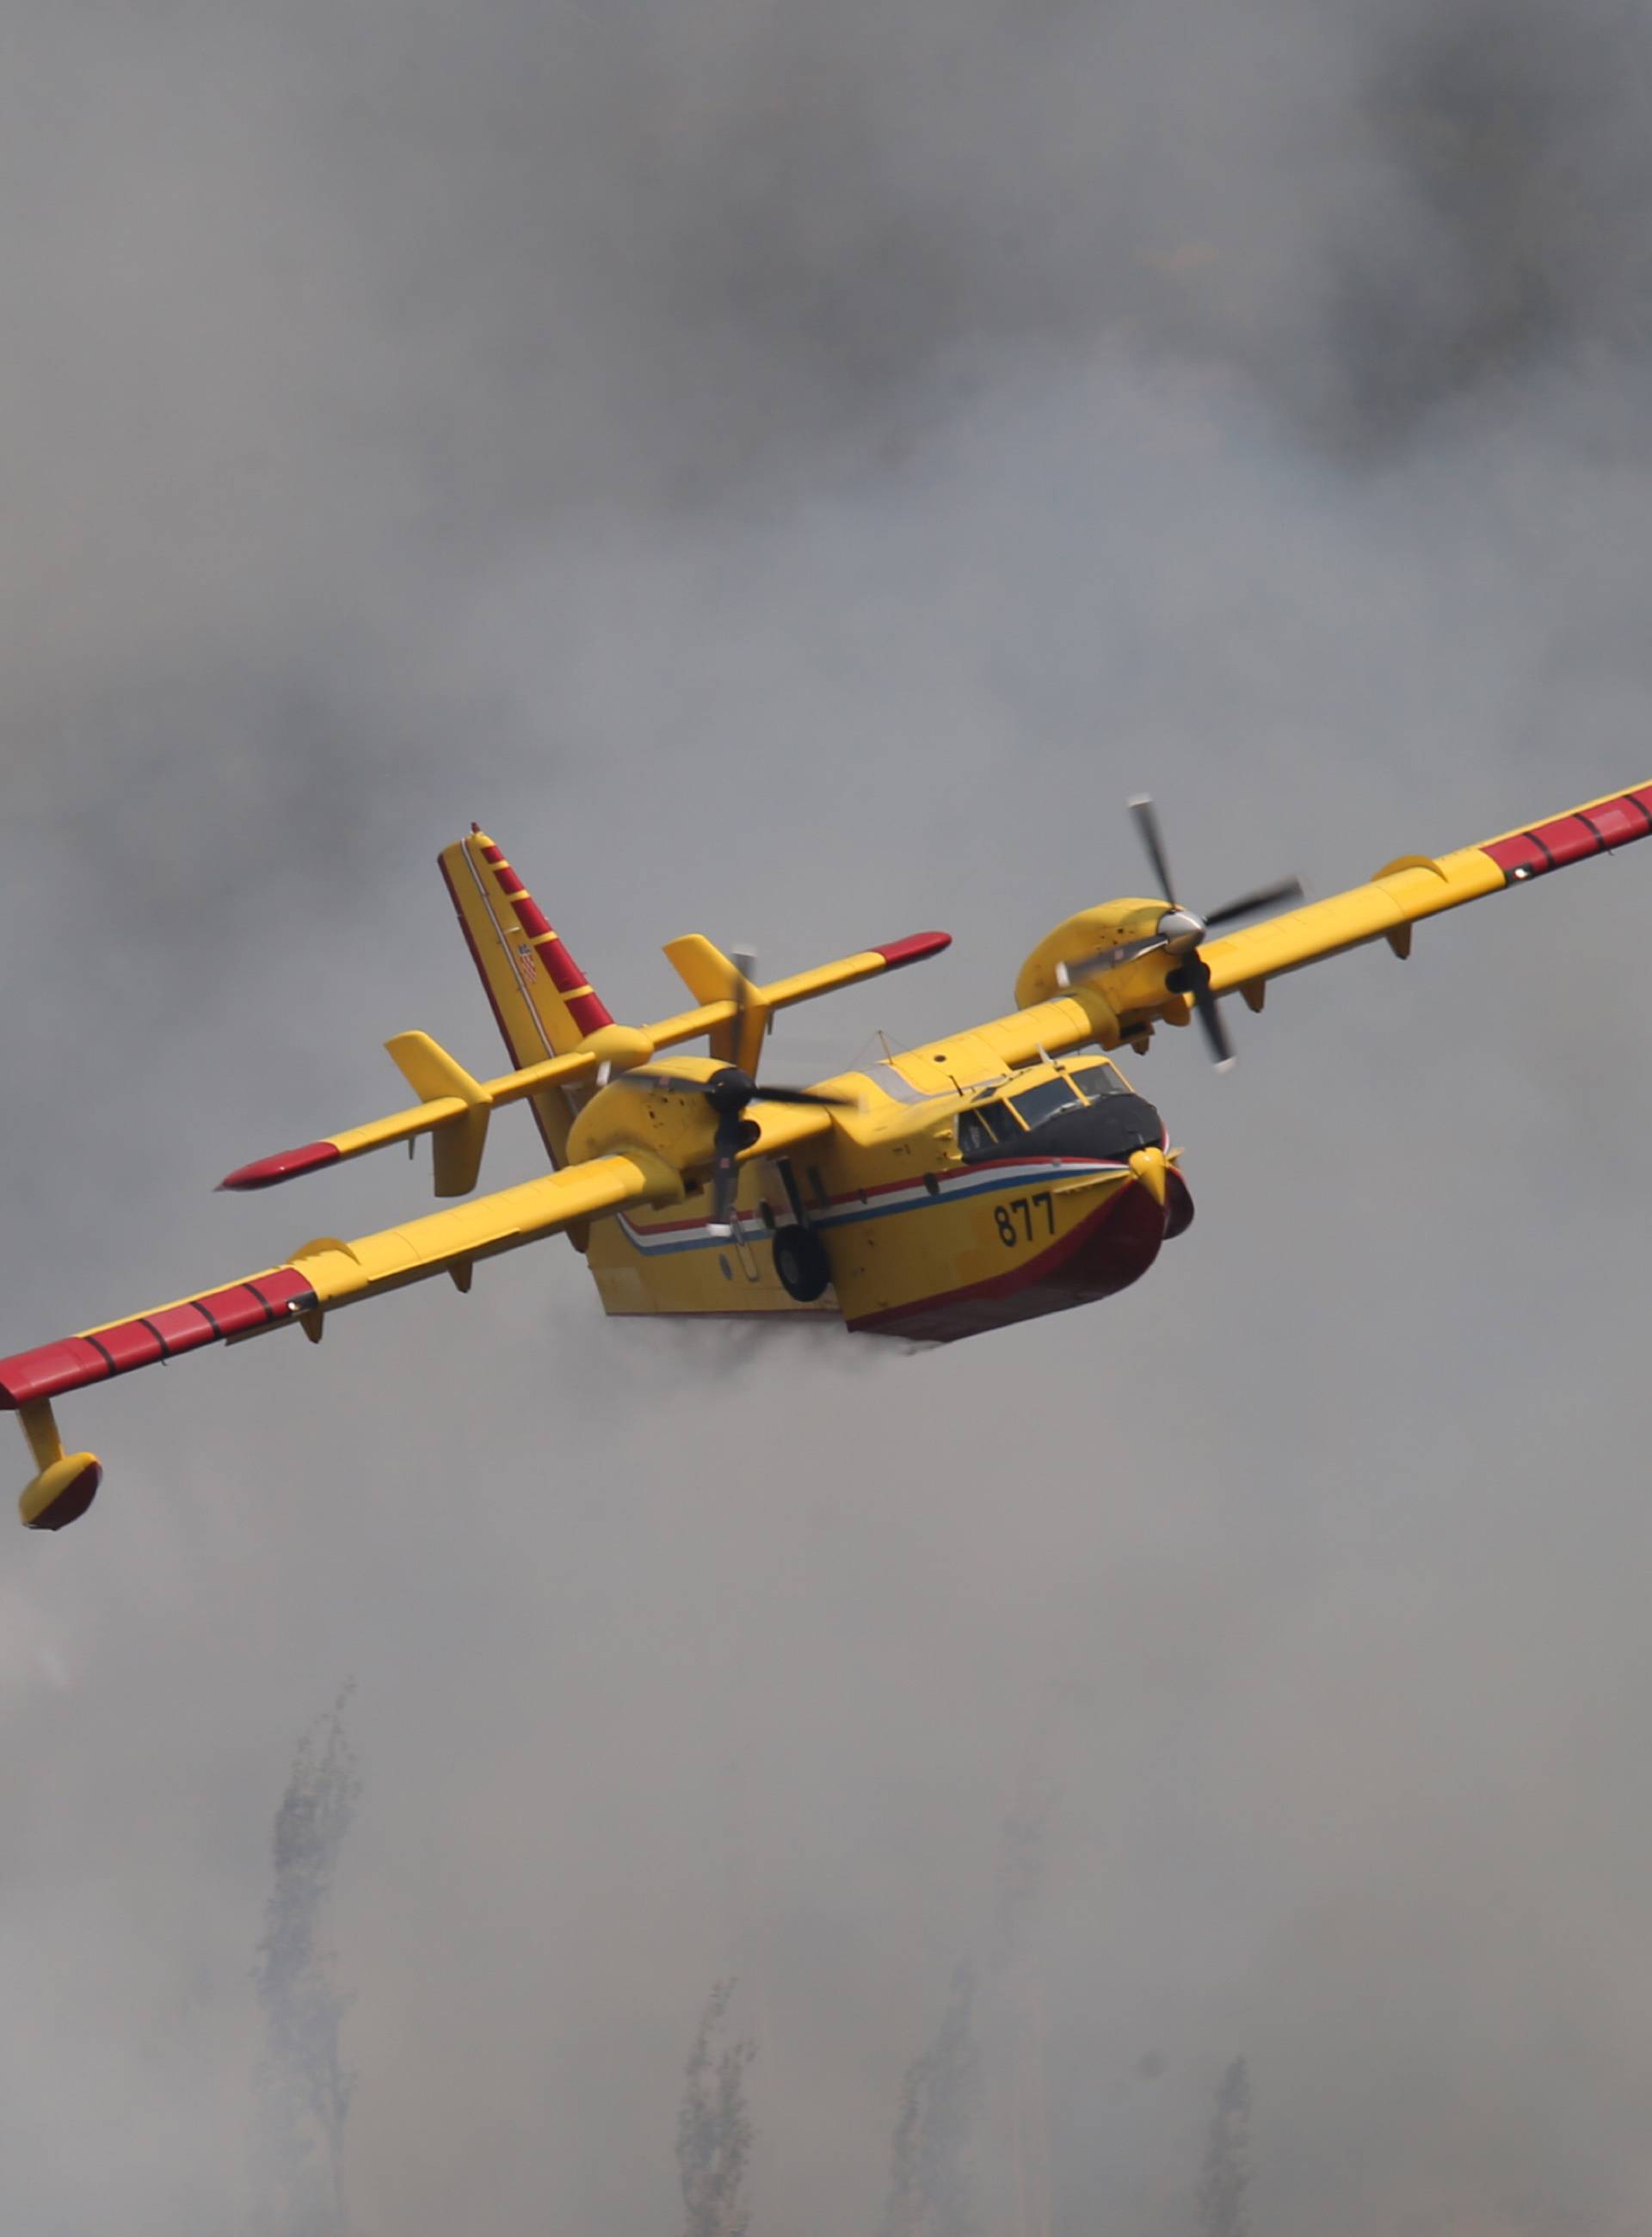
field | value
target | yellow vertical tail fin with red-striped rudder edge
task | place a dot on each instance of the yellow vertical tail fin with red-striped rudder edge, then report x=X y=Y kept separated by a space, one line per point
x=541 y=997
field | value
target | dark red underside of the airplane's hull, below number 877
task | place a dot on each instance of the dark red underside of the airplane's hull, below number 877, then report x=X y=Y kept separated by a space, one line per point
x=1098 y=1261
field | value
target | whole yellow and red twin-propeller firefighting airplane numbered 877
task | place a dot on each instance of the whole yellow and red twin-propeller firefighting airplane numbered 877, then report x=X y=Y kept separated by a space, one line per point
x=995 y=1176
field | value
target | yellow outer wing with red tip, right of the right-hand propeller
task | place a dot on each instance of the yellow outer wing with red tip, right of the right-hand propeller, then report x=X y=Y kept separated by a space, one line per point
x=1420 y=887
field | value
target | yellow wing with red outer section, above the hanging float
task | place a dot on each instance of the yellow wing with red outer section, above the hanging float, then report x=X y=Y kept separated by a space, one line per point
x=330 y=1274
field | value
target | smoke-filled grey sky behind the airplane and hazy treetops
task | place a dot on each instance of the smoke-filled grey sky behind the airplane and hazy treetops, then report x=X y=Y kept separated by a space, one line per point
x=794 y=475
